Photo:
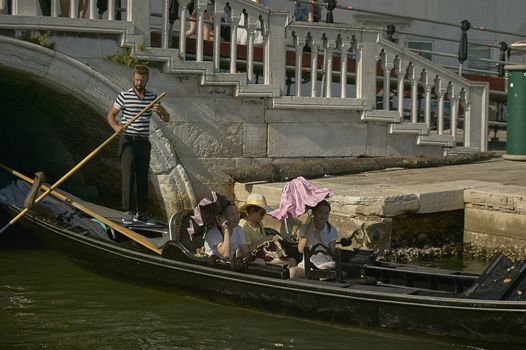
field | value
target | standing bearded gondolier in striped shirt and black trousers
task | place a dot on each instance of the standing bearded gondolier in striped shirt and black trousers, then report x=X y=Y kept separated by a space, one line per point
x=134 y=146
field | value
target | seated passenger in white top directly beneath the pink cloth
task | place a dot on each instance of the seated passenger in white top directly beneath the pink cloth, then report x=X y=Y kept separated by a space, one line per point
x=318 y=230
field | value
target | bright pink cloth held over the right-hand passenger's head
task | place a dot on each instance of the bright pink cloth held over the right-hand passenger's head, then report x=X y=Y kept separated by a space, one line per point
x=297 y=196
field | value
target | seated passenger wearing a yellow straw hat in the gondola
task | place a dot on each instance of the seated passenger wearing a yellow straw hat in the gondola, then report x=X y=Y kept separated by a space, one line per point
x=255 y=209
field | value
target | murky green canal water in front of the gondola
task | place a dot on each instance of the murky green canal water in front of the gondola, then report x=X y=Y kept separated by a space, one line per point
x=47 y=302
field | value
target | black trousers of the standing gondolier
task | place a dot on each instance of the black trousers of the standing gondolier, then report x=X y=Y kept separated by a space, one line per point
x=135 y=161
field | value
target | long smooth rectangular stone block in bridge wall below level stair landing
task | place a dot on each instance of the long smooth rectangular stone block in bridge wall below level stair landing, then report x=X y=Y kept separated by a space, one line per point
x=316 y=139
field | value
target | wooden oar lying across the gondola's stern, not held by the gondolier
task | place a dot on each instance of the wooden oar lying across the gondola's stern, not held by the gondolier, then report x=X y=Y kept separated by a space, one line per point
x=125 y=231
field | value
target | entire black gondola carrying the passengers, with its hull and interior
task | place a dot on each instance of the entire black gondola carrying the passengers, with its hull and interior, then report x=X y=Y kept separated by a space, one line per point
x=485 y=308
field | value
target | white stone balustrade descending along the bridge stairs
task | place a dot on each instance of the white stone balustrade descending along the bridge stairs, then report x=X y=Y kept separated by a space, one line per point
x=333 y=61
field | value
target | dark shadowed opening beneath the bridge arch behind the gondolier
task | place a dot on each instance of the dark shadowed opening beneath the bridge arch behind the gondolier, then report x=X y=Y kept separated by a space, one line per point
x=47 y=129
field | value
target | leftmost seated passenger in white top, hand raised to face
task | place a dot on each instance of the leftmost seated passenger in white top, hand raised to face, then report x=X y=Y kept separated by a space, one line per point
x=223 y=239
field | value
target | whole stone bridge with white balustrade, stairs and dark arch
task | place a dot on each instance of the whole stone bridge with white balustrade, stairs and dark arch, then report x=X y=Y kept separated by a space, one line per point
x=285 y=91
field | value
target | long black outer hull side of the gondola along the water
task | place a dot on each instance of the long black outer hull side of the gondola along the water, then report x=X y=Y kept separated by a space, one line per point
x=474 y=320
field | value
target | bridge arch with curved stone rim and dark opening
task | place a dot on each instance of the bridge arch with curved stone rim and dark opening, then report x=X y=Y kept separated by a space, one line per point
x=69 y=122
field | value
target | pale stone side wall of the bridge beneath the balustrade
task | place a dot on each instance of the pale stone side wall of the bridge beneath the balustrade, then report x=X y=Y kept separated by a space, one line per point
x=211 y=128
